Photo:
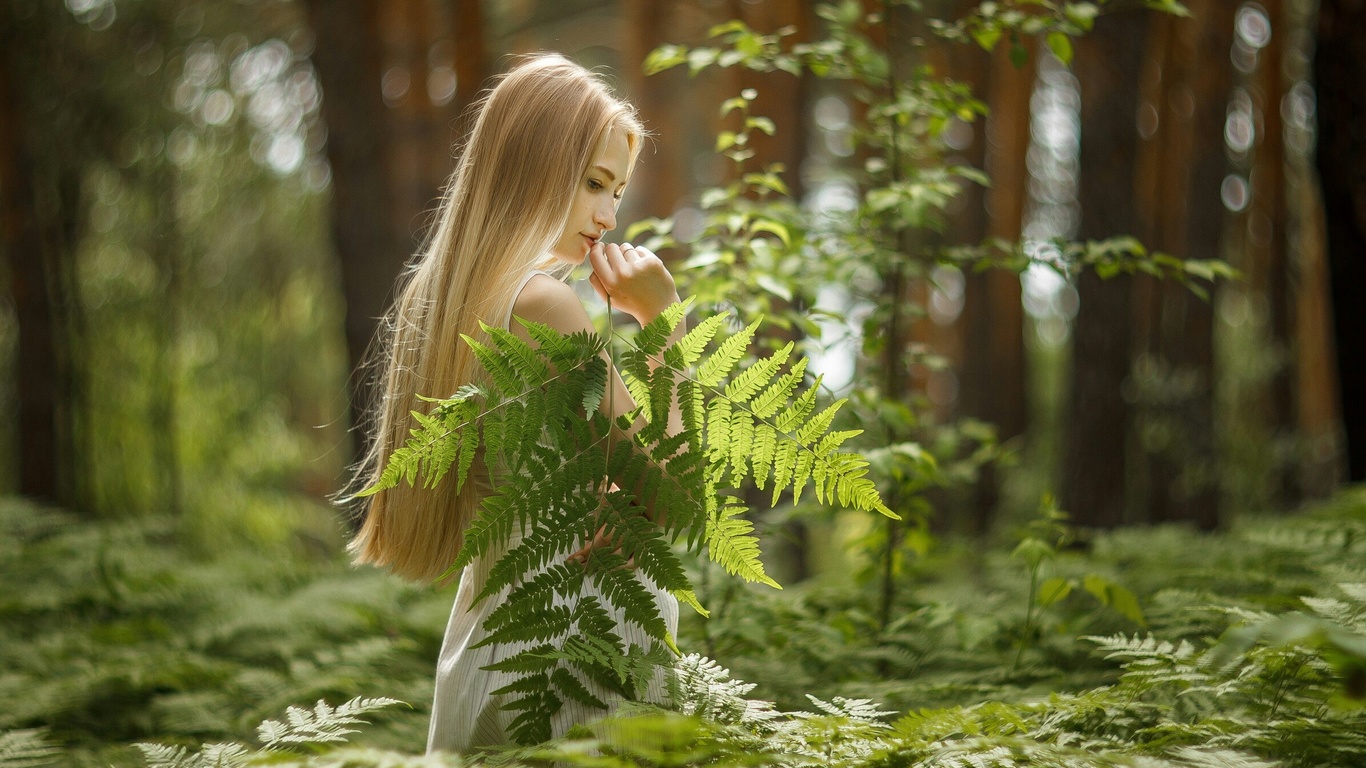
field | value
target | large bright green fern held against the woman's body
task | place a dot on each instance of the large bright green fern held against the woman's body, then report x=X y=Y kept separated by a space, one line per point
x=551 y=454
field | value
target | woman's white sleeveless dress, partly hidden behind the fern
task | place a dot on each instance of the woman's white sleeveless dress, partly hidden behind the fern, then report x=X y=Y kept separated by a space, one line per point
x=465 y=714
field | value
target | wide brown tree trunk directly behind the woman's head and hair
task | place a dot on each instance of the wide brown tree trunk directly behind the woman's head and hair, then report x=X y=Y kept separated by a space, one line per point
x=395 y=79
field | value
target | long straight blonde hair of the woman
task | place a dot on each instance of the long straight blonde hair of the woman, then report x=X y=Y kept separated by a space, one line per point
x=507 y=204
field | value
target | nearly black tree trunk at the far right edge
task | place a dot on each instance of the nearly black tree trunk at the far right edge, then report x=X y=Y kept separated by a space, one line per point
x=1339 y=73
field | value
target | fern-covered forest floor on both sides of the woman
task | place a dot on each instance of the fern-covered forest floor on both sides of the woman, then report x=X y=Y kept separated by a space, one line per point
x=1141 y=643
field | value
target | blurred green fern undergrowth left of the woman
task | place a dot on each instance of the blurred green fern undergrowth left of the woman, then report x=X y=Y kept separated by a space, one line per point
x=125 y=631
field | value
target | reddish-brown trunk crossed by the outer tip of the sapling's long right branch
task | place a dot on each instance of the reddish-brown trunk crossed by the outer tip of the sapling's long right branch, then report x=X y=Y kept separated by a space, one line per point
x=1182 y=214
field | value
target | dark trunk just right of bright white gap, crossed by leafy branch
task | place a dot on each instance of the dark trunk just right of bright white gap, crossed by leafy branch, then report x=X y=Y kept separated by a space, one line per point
x=1109 y=72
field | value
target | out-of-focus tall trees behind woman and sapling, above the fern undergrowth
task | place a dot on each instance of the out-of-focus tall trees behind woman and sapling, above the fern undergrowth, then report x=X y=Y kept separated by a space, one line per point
x=208 y=204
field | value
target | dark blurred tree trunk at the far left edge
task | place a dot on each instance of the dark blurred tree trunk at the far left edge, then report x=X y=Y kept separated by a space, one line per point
x=40 y=222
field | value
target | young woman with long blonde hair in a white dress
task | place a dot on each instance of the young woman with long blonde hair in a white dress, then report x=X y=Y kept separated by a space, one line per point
x=536 y=191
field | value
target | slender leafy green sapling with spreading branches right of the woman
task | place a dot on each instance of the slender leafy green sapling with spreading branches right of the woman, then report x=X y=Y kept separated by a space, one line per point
x=760 y=251
